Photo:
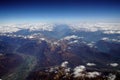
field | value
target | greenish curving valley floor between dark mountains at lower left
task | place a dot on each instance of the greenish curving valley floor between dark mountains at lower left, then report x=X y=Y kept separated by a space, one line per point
x=21 y=72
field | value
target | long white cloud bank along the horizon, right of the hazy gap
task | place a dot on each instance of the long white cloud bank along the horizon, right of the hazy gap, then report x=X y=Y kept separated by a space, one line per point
x=108 y=28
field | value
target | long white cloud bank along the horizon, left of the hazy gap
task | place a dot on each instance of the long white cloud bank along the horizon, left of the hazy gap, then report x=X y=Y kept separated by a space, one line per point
x=32 y=27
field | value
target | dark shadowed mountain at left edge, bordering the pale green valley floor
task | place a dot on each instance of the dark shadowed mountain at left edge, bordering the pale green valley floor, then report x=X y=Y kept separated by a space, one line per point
x=9 y=62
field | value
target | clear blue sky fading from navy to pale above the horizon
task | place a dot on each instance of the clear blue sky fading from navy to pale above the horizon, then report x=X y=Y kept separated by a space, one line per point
x=23 y=11
